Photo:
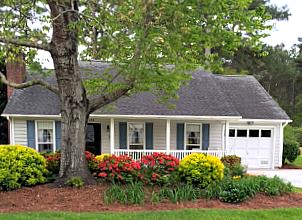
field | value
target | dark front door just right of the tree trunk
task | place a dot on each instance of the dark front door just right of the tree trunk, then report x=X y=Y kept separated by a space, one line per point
x=93 y=138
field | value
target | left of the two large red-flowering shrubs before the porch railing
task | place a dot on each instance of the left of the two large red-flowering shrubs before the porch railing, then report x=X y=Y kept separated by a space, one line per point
x=119 y=169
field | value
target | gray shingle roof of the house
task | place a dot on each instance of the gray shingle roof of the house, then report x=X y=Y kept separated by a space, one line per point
x=205 y=95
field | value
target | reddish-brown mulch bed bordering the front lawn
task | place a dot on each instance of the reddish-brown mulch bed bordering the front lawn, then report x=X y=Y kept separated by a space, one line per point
x=90 y=199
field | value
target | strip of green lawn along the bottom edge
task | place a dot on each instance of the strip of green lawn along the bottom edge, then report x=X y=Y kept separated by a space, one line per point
x=185 y=214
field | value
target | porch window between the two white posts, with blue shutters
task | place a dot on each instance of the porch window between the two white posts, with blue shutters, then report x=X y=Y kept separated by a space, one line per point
x=136 y=133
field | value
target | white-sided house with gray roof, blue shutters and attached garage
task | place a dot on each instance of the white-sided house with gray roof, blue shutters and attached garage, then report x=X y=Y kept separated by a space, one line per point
x=215 y=114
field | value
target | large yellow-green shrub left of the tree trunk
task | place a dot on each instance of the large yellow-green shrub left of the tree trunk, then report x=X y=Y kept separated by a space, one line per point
x=20 y=166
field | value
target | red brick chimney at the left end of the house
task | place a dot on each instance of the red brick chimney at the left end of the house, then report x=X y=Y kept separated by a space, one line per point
x=15 y=72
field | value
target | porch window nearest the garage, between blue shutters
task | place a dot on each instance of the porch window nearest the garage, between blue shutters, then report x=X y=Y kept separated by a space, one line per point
x=192 y=136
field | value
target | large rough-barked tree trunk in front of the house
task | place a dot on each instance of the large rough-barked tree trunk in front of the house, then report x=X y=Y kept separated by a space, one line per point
x=74 y=102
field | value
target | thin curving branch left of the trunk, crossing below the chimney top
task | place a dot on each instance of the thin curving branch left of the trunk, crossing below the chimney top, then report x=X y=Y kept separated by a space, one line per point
x=28 y=84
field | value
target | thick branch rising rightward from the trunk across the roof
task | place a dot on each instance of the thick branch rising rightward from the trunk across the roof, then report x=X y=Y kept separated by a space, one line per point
x=102 y=100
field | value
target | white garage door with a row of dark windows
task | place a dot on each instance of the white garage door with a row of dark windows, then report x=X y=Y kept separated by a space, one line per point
x=253 y=145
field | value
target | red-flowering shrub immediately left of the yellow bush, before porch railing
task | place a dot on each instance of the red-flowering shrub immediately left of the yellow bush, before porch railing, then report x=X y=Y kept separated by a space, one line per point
x=158 y=168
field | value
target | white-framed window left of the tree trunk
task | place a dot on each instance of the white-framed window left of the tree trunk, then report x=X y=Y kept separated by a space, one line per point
x=45 y=134
